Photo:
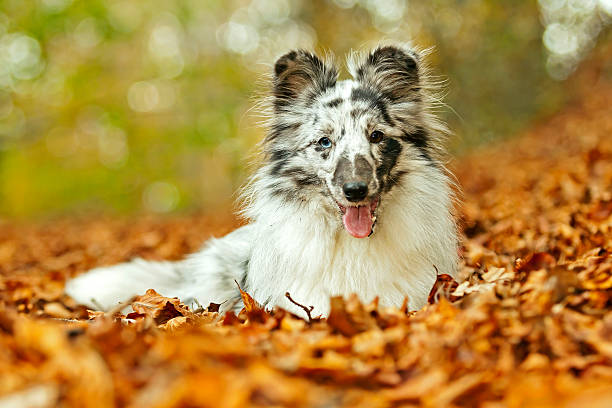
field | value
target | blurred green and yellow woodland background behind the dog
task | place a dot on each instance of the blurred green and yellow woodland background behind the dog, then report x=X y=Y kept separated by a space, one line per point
x=147 y=106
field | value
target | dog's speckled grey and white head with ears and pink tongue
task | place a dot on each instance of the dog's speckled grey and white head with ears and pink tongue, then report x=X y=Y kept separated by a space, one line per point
x=346 y=143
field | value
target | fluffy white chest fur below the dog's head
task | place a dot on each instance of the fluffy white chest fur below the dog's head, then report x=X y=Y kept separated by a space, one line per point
x=300 y=252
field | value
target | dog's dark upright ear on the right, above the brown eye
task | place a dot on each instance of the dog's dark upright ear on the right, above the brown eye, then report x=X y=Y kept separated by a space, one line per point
x=394 y=71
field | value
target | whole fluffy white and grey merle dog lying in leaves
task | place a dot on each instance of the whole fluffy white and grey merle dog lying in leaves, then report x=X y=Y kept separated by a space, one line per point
x=320 y=138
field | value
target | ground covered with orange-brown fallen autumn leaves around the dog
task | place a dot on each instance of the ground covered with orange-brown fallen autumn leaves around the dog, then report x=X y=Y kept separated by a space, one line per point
x=530 y=325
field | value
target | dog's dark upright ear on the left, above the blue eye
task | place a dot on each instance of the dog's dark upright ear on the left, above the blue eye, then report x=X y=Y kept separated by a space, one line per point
x=301 y=74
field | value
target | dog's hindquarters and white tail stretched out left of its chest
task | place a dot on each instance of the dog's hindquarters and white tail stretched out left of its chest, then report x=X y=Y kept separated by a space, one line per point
x=209 y=275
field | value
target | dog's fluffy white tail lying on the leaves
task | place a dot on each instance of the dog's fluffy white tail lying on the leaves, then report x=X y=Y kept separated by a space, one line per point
x=105 y=287
